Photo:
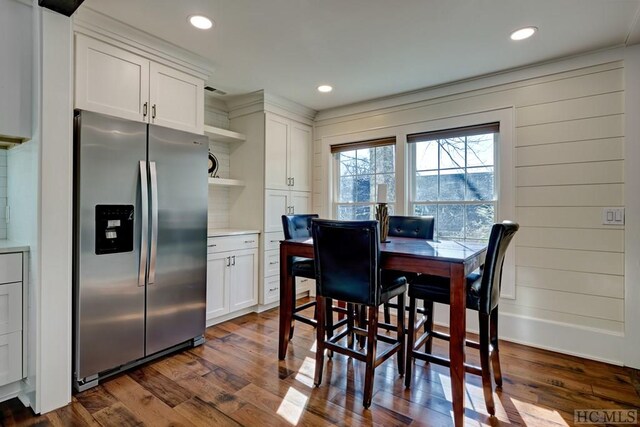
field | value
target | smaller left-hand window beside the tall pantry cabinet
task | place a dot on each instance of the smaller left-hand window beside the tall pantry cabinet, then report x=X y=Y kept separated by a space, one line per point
x=360 y=167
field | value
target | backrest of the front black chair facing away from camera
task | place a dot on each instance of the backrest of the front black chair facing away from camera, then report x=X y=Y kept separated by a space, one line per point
x=347 y=259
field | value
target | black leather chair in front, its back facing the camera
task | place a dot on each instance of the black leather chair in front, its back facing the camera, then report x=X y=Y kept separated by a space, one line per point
x=347 y=256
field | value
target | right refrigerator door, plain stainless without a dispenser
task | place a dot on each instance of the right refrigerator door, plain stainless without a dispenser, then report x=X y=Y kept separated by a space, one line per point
x=176 y=292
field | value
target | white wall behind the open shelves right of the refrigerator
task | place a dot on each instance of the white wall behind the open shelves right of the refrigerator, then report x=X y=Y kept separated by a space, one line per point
x=218 y=213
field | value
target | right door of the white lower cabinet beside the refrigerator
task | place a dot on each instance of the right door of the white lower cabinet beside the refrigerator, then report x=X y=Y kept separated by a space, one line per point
x=243 y=284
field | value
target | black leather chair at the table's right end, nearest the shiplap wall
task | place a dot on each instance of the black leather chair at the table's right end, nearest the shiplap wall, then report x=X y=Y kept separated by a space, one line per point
x=483 y=295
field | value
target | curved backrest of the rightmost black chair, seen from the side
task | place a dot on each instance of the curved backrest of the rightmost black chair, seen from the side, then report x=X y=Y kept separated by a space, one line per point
x=501 y=235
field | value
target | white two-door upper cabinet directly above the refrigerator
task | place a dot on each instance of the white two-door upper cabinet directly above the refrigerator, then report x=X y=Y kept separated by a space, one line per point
x=114 y=81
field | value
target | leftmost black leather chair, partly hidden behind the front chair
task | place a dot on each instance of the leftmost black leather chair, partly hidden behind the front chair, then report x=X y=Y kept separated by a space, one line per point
x=296 y=226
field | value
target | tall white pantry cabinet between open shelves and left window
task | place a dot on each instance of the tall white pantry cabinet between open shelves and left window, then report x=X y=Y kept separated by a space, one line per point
x=277 y=167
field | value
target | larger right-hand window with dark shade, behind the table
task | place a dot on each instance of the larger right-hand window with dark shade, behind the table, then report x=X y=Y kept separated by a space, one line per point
x=453 y=179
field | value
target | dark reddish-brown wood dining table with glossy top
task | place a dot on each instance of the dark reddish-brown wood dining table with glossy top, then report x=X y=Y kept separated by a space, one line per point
x=440 y=258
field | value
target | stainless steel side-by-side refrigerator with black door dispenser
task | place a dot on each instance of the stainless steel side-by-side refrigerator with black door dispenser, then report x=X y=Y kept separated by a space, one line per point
x=140 y=243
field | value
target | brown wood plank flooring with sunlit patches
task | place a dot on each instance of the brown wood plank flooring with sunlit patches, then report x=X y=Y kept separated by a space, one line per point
x=235 y=379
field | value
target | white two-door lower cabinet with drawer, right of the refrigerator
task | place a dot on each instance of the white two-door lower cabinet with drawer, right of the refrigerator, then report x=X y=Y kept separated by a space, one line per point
x=232 y=274
